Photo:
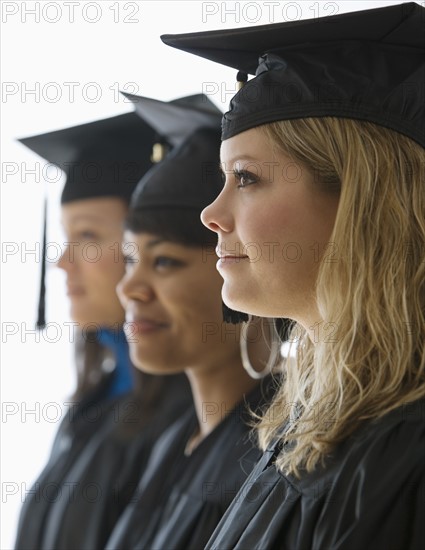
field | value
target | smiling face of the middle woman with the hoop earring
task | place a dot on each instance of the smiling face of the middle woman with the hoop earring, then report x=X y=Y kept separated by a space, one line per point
x=172 y=297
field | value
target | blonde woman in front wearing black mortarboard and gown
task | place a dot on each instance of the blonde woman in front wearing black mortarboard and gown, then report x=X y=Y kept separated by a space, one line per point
x=324 y=151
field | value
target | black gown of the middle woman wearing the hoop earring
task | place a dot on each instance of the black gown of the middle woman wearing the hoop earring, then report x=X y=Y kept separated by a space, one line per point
x=181 y=498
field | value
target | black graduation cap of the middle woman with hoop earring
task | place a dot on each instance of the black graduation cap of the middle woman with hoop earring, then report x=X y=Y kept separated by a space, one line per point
x=188 y=178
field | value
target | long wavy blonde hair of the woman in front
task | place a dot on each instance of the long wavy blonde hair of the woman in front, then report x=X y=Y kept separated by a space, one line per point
x=372 y=297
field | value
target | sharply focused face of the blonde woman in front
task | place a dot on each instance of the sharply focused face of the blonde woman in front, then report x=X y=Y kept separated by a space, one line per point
x=273 y=227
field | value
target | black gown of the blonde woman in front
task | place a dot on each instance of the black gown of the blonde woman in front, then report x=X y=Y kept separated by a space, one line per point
x=369 y=496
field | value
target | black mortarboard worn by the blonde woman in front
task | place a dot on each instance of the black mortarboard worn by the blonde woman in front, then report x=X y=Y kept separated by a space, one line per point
x=366 y=65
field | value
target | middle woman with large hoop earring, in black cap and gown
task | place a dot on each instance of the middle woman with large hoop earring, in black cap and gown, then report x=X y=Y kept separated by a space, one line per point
x=171 y=293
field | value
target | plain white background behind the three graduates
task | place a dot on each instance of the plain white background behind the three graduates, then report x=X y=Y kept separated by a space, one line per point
x=100 y=47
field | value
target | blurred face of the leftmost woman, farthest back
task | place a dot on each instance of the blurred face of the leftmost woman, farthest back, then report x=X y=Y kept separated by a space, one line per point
x=93 y=259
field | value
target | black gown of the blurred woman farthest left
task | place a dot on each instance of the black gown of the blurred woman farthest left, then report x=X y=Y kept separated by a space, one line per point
x=93 y=470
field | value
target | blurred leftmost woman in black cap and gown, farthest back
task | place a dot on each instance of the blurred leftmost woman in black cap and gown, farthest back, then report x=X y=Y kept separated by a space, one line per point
x=104 y=441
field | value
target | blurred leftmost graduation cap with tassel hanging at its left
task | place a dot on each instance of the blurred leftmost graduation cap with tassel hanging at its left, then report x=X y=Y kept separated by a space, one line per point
x=105 y=158
